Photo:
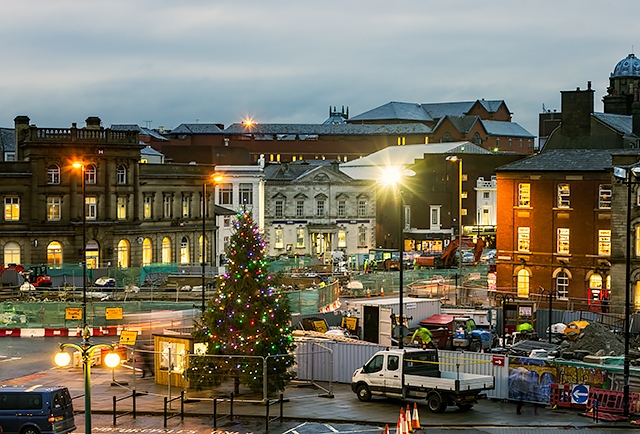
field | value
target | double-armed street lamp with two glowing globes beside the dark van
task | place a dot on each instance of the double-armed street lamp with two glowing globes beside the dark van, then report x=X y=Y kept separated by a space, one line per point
x=63 y=358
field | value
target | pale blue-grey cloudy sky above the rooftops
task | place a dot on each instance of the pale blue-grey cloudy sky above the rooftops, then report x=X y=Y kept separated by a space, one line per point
x=163 y=63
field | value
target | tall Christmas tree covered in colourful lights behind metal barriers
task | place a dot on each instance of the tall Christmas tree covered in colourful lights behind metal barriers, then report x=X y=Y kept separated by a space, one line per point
x=248 y=320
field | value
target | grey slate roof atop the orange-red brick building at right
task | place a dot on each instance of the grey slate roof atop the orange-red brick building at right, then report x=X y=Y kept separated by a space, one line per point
x=563 y=160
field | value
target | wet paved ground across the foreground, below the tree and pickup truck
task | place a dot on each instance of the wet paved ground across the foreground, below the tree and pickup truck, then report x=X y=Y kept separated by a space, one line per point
x=303 y=402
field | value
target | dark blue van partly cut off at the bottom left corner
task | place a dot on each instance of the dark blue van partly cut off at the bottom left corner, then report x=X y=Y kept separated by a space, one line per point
x=36 y=410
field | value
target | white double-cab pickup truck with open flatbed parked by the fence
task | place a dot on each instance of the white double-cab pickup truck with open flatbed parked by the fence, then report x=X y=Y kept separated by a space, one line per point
x=415 y=373
